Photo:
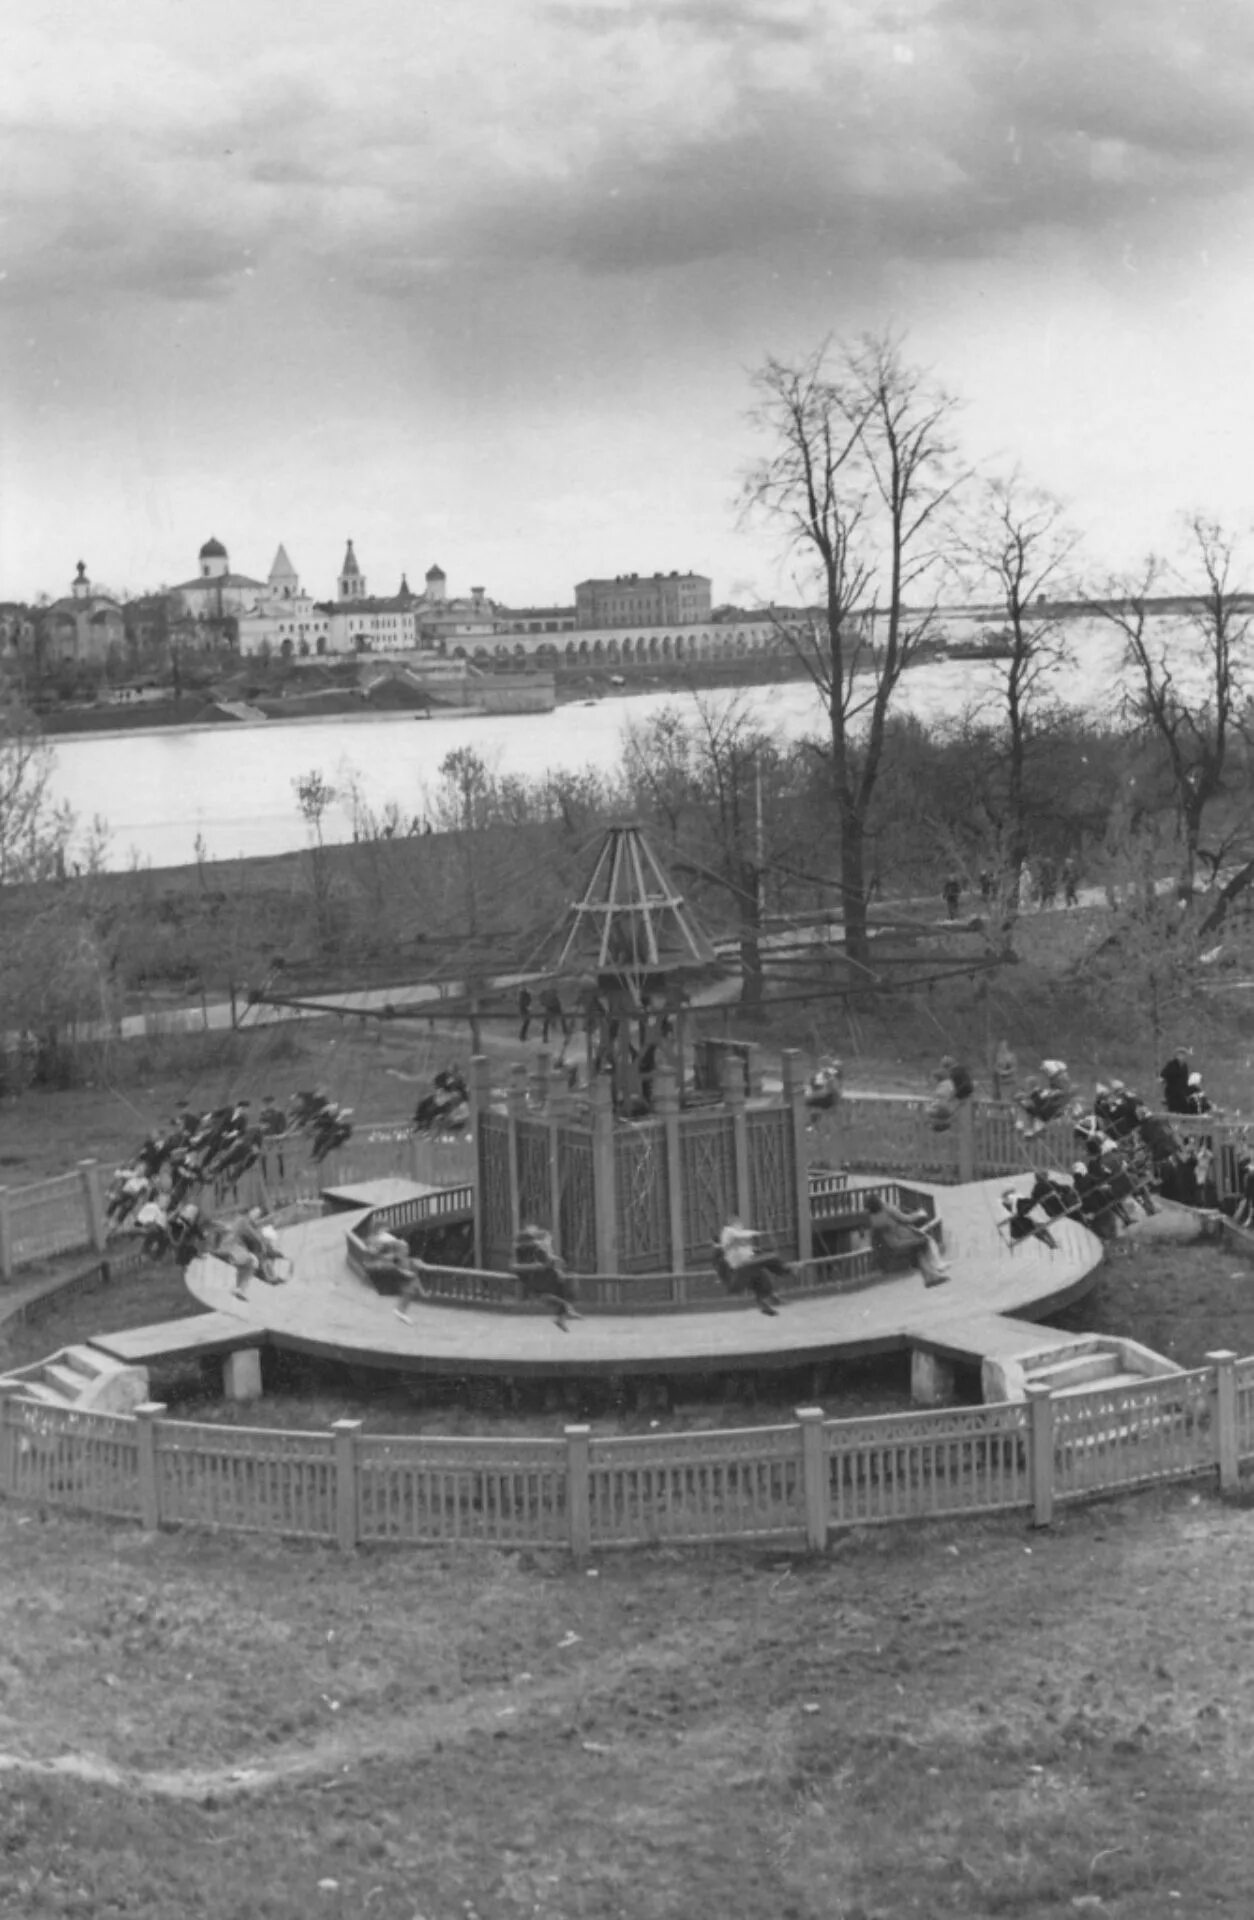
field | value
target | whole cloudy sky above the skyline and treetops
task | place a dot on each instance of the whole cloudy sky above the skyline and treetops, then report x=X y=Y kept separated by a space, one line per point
x=485 y=283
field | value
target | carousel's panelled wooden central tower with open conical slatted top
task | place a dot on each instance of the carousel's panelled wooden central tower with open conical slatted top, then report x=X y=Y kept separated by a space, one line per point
x=640 y=1174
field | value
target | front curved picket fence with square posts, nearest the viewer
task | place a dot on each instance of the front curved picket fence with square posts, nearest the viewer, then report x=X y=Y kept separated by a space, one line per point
x=794 y=1483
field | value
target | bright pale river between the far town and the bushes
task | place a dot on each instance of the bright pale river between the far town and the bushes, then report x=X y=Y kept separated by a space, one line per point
x=233 y=786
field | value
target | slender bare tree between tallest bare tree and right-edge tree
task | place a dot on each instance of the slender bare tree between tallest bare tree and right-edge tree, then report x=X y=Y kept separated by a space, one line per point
x=1017 y=550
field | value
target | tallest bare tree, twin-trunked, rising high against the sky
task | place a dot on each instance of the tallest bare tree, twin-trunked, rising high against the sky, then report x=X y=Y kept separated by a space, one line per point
x=861 y=468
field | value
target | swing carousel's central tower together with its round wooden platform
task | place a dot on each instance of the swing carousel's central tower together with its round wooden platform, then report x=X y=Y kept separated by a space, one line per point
x=625 y=1180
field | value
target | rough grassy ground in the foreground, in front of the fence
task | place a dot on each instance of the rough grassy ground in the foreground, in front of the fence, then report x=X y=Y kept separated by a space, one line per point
x=944 y=1721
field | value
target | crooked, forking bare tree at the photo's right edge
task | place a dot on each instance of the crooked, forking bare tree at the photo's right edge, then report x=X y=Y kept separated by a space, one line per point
x=1188 y=690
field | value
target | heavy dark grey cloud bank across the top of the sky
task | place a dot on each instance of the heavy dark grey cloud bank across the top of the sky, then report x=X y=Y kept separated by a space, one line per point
x=614 y=137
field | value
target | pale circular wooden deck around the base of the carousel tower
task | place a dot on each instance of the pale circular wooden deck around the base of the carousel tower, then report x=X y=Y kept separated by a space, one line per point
x=986 y=1308
